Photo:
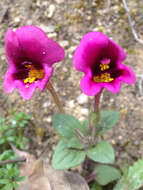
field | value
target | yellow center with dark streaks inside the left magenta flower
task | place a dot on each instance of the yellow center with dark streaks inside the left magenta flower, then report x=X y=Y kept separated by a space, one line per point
x=33 y=74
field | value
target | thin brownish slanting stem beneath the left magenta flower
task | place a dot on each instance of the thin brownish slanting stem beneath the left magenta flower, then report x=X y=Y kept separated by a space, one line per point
x=55 y=97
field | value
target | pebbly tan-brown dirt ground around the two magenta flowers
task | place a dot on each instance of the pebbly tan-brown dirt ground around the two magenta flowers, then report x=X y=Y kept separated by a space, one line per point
x=66 y=22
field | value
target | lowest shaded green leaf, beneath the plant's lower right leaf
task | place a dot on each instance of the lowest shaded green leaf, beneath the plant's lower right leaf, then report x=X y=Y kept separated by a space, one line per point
x=106 y=174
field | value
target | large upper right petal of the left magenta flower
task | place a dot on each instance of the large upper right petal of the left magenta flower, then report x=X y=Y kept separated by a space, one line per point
x=37 y=46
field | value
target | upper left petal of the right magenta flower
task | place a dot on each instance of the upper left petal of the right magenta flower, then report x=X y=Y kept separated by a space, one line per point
x=91 y=48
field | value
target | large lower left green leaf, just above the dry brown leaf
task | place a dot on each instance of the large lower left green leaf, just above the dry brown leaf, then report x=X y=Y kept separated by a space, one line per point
x=65 y=158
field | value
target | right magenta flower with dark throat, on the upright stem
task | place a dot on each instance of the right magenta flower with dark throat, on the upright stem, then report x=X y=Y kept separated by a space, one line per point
x=100 y=59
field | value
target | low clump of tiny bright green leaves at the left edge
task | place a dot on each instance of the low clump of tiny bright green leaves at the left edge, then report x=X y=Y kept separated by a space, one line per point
x=11 y=131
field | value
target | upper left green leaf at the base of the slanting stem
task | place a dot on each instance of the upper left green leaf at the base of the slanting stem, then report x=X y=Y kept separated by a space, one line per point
x=65 y=124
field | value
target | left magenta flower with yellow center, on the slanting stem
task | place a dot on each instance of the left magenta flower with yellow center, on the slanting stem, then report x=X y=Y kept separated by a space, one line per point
x=30 y=55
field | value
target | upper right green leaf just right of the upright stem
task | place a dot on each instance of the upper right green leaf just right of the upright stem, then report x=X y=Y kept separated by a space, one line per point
x=108 y=119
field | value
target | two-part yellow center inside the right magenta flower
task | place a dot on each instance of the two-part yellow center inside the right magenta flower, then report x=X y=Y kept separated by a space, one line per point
x=103 y=77
